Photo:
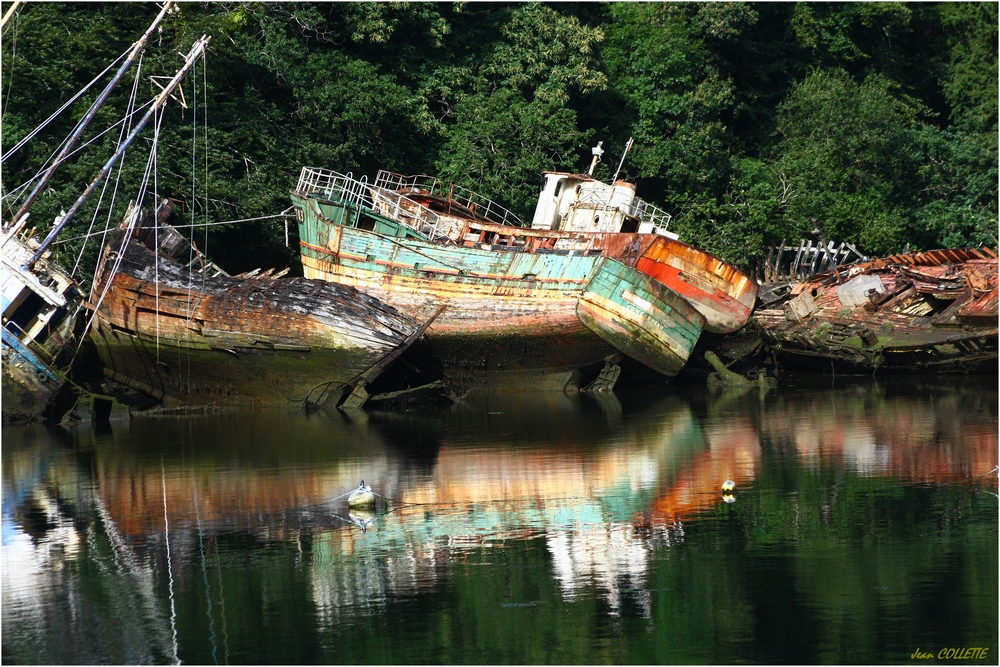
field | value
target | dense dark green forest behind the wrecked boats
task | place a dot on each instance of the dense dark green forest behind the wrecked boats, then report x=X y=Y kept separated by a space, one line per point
x=749 y=119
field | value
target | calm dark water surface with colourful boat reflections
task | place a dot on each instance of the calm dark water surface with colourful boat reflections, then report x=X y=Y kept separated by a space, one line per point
x=524 y=529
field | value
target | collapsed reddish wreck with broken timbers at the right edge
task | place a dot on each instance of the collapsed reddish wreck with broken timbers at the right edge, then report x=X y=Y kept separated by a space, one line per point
x=932 y=311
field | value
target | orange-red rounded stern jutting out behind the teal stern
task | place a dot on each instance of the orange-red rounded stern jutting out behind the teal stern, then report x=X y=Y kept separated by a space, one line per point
x=720 y=292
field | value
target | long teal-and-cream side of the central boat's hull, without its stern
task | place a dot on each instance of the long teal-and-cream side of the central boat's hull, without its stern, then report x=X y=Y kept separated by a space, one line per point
x=510 y=320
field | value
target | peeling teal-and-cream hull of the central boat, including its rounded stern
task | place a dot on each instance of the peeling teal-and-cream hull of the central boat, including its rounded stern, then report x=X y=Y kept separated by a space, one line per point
x=512 y=318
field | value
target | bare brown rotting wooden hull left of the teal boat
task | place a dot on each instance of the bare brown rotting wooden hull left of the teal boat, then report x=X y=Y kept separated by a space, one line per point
x=189 y=339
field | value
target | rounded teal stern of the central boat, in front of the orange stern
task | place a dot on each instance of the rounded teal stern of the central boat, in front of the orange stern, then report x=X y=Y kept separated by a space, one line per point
x=641 y=317
